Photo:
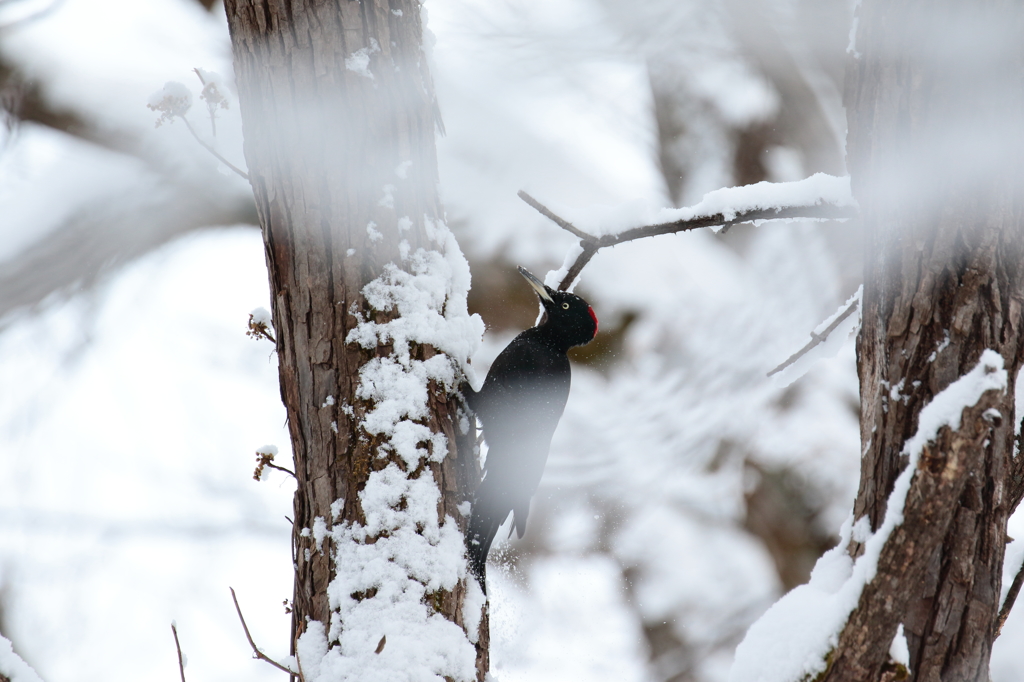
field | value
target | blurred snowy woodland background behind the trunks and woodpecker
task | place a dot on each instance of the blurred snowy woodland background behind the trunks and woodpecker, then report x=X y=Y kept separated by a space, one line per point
x=686 y=491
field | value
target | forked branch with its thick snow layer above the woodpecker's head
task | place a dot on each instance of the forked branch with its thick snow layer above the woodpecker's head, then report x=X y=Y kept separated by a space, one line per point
x=818 y=198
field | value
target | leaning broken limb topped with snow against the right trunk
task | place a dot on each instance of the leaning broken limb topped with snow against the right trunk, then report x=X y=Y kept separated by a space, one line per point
x=797 y=638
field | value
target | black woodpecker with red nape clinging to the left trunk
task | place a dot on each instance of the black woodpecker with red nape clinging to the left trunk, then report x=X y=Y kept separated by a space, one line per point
x=520 y=406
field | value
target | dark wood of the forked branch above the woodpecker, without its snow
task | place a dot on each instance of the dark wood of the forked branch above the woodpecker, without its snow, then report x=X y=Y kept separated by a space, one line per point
x=591 y=244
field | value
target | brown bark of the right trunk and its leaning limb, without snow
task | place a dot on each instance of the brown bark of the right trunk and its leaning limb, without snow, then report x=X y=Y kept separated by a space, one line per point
x=935 y=97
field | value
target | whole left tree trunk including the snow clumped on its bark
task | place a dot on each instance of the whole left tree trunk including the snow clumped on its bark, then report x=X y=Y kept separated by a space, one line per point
x=369 y=306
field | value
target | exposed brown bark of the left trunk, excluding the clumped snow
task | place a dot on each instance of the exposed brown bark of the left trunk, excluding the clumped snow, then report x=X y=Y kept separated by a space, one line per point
x=336 y=100
